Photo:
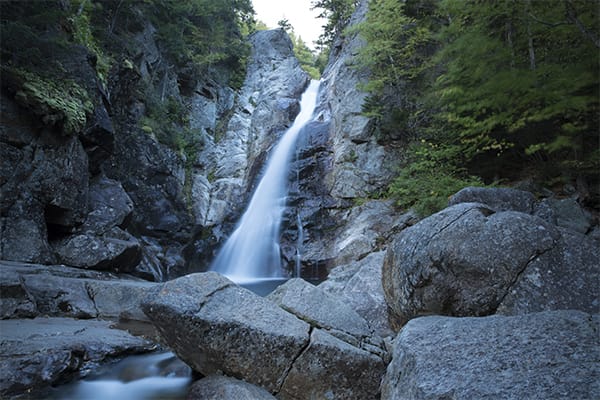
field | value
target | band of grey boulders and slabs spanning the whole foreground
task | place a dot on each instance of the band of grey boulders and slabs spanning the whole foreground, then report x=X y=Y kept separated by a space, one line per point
x=494 y=297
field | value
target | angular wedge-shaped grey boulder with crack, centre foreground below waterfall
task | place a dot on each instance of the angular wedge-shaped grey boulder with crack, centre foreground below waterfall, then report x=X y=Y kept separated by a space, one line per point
x=218 y=327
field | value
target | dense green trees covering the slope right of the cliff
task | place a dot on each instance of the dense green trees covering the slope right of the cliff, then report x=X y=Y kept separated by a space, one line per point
x=486 y=91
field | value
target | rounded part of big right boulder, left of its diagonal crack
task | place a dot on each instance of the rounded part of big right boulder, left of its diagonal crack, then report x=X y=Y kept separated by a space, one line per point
x=462 y=260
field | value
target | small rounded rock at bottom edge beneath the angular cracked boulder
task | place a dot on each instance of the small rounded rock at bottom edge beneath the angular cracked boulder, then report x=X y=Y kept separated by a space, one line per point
x=218 y=387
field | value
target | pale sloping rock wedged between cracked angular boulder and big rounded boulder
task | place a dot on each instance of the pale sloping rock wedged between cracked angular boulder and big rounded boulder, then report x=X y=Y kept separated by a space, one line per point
x=359 y=285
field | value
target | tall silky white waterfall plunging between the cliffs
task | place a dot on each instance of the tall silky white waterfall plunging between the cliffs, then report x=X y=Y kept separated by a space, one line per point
x=252 y=251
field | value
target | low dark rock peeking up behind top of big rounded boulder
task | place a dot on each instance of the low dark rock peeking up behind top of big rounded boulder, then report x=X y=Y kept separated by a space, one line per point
x=497 y=199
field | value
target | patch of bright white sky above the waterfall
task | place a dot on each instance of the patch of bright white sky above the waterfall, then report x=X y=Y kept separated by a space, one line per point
x=297 y=12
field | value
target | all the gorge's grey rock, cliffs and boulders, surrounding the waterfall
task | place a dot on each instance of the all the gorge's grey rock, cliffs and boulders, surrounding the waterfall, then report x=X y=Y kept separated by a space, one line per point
x=106 y=235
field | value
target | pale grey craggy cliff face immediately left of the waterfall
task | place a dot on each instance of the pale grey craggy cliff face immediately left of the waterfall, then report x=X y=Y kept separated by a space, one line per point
x=235 y=152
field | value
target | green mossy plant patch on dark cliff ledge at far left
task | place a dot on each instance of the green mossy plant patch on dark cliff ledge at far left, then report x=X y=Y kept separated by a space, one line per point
x=63 y=103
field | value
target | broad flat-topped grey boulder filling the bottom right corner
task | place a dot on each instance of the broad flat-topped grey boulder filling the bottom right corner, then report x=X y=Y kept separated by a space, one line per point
x=547 y=355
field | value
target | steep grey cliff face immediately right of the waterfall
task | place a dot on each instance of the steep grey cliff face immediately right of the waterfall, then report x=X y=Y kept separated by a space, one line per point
x=340 y=163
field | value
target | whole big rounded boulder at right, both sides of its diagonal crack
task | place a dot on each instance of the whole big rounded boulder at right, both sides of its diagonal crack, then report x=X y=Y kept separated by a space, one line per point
x=468 y=259
